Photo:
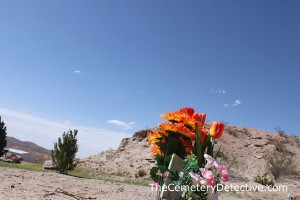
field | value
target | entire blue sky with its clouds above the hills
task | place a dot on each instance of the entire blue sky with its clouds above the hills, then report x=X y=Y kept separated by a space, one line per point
x=110 y=68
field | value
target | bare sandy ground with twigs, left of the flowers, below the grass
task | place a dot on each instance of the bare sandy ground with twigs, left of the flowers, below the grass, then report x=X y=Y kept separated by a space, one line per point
x=22 y=184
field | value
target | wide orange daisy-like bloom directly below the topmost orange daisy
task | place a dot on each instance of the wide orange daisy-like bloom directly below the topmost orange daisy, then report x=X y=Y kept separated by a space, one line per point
x=178 y=128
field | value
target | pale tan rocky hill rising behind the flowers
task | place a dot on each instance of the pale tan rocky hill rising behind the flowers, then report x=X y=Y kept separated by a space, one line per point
x=242 y=150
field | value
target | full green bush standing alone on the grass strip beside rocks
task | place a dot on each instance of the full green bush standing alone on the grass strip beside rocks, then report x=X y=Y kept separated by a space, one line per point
x=64 y=152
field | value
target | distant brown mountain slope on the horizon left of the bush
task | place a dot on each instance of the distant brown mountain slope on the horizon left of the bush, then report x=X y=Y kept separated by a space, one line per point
x=38 y=153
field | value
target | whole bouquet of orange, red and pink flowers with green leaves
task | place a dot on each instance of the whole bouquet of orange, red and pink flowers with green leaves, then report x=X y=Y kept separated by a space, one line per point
x=185 y=136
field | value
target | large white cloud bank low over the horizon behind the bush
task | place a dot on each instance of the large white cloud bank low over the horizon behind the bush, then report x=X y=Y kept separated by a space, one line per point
x=43 y=132
